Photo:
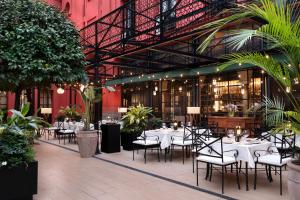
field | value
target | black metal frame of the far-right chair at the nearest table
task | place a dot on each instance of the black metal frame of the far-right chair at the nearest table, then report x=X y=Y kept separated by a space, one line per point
x=283 y=153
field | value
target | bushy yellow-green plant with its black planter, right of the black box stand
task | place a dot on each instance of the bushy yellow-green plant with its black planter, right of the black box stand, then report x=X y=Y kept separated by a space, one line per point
x=134 y=123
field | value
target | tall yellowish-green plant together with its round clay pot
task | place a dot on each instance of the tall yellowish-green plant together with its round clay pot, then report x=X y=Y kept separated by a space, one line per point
x=87 y=139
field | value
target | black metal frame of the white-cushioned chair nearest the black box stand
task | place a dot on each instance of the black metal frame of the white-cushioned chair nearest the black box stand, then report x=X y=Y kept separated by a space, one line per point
x=144 y=138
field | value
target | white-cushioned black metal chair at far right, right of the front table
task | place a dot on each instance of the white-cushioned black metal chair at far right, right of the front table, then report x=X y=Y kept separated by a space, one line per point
x=273 y=157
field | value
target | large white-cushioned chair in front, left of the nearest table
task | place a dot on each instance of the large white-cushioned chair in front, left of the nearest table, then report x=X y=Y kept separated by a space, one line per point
x=212 y=153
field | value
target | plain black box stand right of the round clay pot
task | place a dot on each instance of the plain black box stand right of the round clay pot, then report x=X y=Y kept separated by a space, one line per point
x=110 y=142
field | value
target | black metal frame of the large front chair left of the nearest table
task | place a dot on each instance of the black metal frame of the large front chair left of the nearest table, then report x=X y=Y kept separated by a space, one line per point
x=217 y=155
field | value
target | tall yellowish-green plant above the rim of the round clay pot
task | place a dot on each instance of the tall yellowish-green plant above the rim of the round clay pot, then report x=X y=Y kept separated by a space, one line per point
x=90 y=95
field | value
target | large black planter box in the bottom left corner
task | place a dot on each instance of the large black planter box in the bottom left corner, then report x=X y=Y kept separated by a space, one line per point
x=19 y=183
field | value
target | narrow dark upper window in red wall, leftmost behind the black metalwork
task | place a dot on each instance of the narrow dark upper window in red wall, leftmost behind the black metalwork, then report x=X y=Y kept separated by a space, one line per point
x=129 y=20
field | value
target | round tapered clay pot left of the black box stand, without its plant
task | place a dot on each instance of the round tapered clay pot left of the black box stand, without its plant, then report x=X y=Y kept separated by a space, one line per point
x=87 y=143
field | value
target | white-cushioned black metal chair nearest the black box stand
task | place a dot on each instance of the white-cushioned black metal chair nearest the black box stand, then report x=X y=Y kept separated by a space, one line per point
x=146 y=142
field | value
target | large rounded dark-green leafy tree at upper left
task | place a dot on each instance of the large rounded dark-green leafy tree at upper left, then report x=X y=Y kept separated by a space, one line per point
x=38 y=47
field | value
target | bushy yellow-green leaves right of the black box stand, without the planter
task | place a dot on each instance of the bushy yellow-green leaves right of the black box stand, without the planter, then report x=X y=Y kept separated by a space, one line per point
x=135 y=120
